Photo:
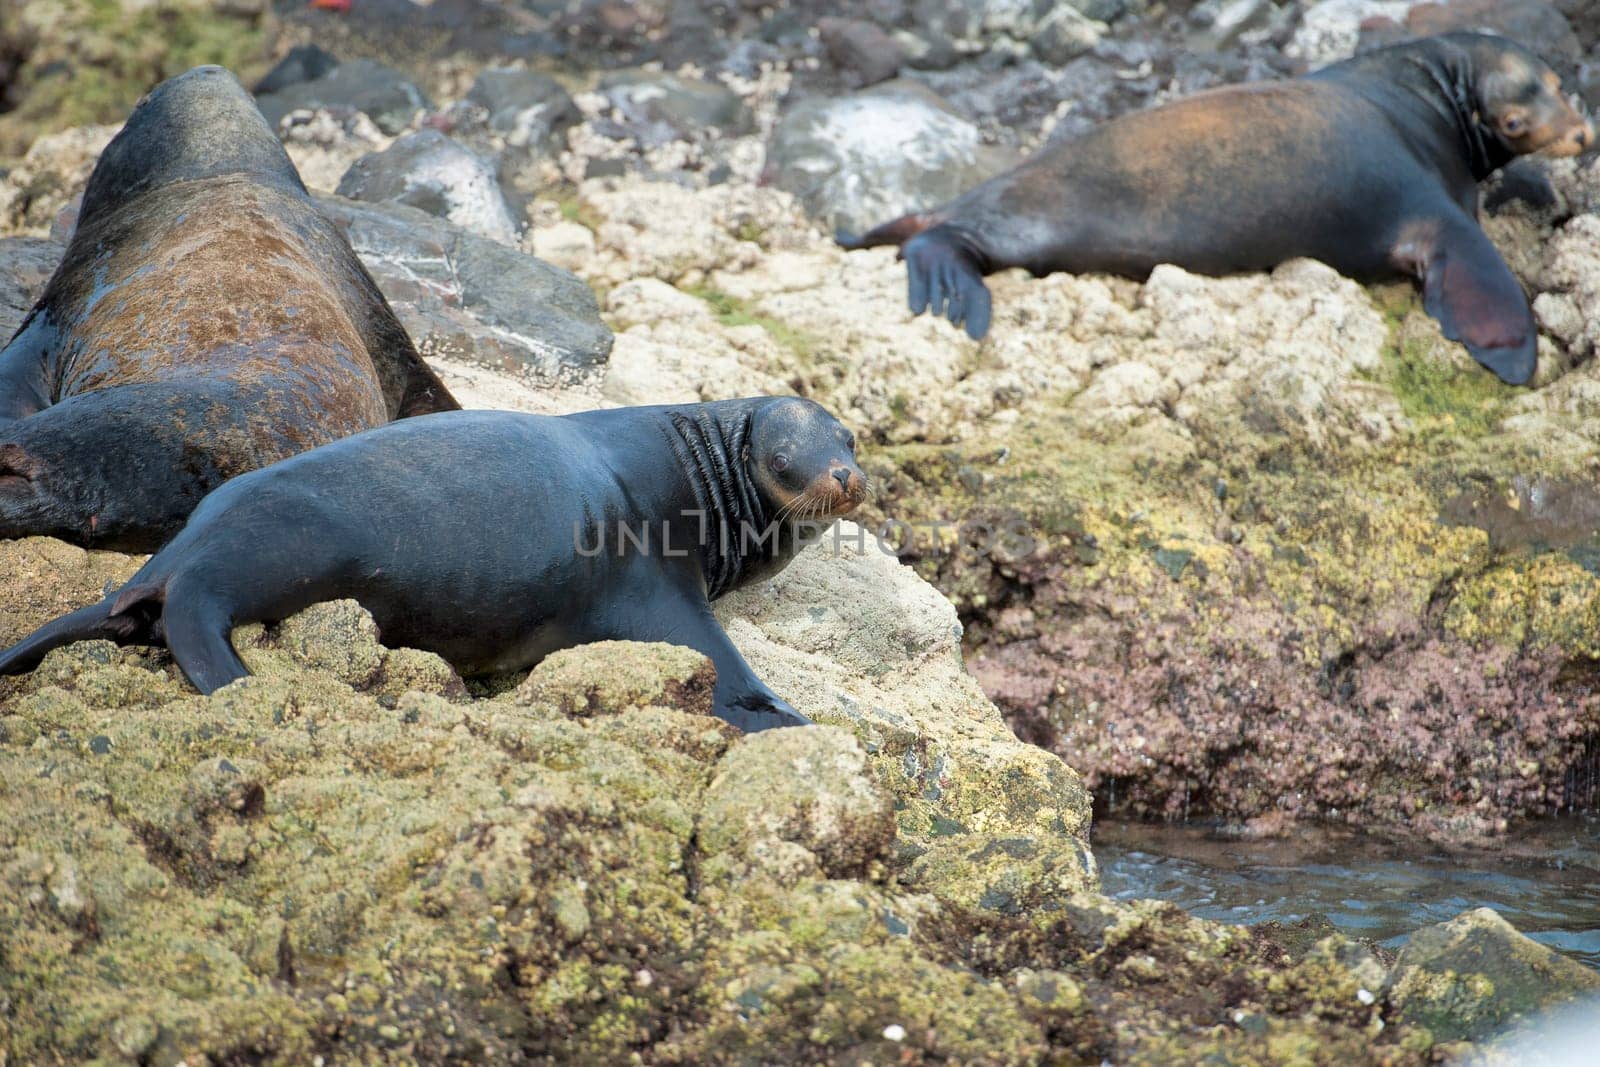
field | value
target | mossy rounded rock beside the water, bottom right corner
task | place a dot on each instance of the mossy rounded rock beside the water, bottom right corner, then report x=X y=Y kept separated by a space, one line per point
x=1476 y=977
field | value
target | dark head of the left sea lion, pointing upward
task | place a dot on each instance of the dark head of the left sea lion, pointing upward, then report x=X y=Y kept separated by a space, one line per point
x=201 y=124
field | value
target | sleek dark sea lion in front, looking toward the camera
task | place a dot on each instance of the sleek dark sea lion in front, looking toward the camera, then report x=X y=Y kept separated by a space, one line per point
x=497 y=538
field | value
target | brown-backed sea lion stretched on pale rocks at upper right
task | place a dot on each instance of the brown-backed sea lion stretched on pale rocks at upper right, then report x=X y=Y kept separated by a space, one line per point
x=1369 y=166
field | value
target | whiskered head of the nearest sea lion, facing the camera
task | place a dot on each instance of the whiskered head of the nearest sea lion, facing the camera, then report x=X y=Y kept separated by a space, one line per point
x=804 y=462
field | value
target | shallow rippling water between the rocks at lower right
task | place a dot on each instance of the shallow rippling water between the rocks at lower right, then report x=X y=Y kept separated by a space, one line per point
x=1545 y=879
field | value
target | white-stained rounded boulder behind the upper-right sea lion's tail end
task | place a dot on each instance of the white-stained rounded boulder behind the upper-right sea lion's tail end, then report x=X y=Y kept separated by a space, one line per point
x=865 y=159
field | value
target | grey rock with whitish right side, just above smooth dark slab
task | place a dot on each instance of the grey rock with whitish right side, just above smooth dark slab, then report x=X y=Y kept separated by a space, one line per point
x=430 y=172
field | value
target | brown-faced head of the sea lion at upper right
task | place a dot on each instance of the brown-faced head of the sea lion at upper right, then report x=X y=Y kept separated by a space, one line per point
x=1522 y=105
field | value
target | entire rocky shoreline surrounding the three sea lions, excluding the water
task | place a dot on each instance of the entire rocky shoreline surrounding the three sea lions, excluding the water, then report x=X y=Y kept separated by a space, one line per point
x=1274 y=553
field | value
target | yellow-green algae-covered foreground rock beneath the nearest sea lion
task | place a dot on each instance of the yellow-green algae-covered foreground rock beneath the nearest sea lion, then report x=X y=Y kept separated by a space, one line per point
x=588 y=866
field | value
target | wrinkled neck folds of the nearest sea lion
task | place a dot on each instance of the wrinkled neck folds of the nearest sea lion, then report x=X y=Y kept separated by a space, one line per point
x=711 y=442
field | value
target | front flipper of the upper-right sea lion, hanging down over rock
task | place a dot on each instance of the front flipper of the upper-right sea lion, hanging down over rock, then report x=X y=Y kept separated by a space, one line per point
x=1474 y=295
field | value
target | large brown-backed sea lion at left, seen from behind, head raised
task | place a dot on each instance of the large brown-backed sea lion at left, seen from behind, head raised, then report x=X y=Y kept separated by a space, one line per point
x=206 y=321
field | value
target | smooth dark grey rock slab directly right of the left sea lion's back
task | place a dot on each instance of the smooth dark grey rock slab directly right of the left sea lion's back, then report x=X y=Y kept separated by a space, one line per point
x=470 y=300
